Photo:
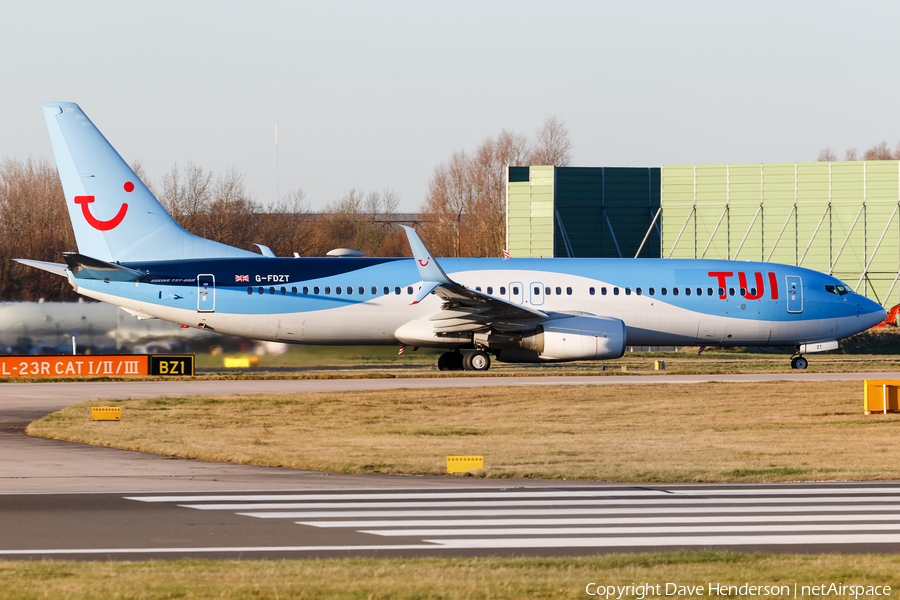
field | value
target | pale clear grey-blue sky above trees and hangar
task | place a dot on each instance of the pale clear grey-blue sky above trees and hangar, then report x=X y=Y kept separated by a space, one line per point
x=376 y=95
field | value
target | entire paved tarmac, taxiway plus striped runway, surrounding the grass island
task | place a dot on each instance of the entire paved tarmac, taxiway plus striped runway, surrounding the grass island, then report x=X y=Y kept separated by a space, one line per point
x=65 y=500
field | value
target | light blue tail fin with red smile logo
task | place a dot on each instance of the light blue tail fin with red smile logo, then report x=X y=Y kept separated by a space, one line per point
x=113 y=214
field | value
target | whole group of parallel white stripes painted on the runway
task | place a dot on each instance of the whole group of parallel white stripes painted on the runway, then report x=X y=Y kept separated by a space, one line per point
x=580 y=518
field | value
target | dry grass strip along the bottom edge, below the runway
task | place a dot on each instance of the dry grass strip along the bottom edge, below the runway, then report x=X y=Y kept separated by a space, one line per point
x=435 y=578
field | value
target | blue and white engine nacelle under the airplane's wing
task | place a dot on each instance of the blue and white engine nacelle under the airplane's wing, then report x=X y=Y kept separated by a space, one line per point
x=577 y=338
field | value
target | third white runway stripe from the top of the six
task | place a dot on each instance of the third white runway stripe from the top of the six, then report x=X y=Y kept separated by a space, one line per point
x=357 y=514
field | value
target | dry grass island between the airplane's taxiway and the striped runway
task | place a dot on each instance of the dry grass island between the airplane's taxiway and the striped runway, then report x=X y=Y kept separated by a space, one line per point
x=781 y=431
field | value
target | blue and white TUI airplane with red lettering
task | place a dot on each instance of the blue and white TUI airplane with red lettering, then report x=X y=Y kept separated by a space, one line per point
x=132 y=254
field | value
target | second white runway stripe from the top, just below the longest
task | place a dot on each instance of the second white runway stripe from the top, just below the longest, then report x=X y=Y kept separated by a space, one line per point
x=587 y=502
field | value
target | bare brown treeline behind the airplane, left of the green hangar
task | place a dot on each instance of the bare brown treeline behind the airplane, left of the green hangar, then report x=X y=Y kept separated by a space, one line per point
x=463 y=213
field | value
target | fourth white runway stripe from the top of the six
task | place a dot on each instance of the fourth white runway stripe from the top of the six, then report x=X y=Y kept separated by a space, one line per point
x=866 y=518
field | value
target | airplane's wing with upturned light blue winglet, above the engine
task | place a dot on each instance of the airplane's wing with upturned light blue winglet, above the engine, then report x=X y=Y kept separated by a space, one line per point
x=466 y=309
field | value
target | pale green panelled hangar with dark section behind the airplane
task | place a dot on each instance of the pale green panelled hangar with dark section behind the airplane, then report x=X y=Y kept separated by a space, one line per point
x=841 y=218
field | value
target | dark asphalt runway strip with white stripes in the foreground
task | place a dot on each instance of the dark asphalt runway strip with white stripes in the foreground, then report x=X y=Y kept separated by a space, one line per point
x=495 y=520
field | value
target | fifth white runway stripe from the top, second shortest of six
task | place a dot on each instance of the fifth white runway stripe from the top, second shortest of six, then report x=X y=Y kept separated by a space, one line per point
x=618 y=531
